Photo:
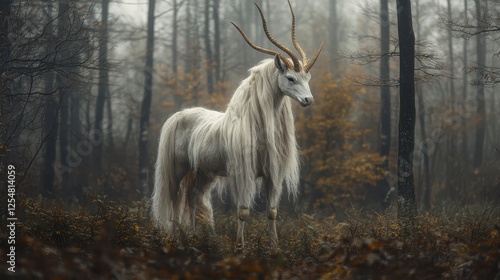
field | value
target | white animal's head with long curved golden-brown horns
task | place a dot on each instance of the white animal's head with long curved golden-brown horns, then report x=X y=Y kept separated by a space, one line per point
x=293 y=76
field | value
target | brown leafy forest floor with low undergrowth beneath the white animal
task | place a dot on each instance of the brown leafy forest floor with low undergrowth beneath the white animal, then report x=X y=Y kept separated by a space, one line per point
x=111 y=240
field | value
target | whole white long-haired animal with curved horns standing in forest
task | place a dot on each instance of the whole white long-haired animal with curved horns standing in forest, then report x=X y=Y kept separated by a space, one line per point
x=254 y=137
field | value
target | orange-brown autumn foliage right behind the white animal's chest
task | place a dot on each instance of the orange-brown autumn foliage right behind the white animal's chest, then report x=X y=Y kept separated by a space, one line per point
x=338 y=163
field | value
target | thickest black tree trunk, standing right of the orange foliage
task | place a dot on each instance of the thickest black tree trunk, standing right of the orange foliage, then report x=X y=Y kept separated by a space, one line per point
x=406 y=188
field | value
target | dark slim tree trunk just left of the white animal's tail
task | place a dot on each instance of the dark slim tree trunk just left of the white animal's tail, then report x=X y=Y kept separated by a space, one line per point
x=146 y=102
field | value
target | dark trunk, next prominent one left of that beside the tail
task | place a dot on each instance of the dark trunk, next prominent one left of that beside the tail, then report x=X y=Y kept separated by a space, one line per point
x=102 y=89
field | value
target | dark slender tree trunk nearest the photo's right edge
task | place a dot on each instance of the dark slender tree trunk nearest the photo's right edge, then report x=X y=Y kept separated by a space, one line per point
x=480 y=97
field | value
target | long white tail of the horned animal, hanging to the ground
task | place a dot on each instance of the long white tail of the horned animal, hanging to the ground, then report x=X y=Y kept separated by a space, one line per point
x=166 y=202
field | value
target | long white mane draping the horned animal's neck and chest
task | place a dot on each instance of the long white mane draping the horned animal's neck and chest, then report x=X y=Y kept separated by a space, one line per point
x=258 y=134
